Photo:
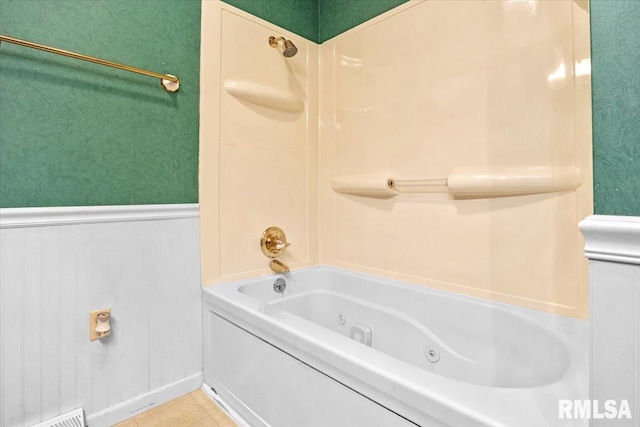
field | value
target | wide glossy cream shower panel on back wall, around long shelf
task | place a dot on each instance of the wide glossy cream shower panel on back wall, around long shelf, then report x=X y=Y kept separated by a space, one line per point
x=436 y=87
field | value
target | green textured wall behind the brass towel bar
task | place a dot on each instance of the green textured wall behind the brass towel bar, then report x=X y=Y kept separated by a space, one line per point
x=75 y=133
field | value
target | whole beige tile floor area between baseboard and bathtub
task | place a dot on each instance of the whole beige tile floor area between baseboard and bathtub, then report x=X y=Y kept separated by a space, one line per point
x=191 y=410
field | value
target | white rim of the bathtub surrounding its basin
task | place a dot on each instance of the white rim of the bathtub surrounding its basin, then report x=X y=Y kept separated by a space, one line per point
x=390 y=387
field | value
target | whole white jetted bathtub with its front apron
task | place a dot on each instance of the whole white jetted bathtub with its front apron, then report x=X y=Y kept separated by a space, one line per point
x=435 y=358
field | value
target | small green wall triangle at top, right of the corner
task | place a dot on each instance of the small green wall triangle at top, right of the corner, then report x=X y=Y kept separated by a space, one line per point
x=338 y=16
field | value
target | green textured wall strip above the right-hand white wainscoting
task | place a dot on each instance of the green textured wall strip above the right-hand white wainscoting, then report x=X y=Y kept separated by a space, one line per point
x=615 y=47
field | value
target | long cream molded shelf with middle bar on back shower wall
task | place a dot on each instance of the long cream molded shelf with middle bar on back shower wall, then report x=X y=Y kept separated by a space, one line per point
x=467 y=185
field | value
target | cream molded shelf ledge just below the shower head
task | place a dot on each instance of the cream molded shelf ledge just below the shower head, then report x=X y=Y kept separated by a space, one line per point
x=264 y=96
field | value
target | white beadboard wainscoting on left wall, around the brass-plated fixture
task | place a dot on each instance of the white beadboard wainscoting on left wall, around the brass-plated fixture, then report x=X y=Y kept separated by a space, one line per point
x=143 y=262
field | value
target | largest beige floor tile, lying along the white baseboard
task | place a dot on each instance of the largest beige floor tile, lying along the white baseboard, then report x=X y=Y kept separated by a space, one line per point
x=182 y=411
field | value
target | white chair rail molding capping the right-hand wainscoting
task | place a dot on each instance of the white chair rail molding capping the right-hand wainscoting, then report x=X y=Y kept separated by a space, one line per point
x=612 y=238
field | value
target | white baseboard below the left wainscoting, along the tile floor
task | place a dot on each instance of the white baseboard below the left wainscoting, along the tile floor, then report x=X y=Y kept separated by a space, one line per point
x=139 y=404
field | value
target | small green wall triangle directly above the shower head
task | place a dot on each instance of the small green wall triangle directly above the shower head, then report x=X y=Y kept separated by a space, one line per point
x=297 y=16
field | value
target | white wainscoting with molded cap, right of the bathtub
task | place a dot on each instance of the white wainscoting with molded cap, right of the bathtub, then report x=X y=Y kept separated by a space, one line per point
x=613 y=247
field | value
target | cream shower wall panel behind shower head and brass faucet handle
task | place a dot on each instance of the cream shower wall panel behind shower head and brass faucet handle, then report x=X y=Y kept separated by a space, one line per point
x=258 y=160
